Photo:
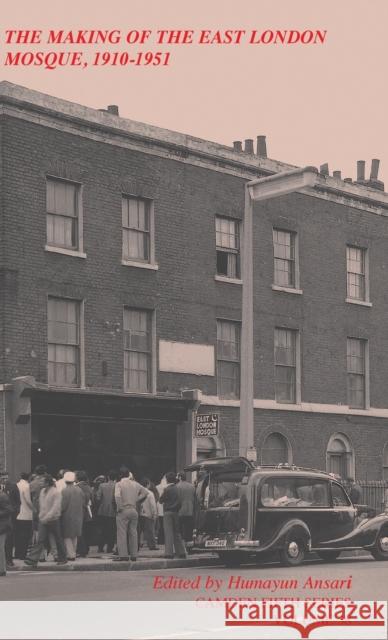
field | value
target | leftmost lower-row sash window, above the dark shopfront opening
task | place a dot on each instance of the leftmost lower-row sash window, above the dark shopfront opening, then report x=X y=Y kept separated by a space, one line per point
x=63 y=342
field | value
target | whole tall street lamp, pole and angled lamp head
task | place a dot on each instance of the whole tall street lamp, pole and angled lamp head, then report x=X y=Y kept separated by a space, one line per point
x=256 y=190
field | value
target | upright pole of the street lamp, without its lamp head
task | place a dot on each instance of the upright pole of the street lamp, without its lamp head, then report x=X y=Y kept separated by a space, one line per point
x=246 y=439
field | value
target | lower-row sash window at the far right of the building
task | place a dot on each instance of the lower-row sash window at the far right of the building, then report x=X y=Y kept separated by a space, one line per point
x=356 y=361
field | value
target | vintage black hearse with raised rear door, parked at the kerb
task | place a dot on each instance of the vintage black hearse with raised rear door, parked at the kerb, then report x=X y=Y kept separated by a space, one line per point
x=244 y=512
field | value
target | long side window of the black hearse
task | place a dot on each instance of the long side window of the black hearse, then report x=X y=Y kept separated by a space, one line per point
x=299 y=492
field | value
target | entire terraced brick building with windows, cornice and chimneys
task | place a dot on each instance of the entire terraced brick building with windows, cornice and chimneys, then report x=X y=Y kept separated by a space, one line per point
x=120 y=280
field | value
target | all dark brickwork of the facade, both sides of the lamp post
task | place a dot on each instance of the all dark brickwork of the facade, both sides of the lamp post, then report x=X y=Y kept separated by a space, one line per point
x=183 y=292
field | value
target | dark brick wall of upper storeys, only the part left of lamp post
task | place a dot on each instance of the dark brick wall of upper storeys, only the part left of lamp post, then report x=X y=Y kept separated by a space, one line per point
x=183 y=291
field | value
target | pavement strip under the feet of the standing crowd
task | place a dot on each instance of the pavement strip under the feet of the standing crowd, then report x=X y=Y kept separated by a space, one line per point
x=147 y=560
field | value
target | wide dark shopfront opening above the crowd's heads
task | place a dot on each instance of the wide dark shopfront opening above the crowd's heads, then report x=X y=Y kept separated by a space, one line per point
x=148 y=448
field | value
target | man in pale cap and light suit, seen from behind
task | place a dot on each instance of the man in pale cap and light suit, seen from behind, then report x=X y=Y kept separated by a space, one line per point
x=72 y=514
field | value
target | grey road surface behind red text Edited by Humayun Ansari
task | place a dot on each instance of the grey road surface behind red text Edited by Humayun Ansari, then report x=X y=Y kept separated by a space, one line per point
x=357 y=579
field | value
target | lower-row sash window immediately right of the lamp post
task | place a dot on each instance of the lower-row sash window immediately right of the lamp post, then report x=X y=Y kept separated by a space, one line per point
x=286 y=370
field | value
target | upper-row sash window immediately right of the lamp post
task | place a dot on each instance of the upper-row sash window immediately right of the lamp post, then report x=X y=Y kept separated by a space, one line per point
x=284 y=251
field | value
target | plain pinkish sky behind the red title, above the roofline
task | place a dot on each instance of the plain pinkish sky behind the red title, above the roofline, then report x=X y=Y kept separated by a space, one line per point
x=316 y=104
